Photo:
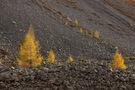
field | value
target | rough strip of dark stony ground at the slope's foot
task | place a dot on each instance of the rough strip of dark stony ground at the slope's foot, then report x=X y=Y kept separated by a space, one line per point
x=80 y=74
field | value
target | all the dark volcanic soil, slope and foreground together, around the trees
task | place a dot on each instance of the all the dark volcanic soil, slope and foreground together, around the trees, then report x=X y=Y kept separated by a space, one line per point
x=113 y=19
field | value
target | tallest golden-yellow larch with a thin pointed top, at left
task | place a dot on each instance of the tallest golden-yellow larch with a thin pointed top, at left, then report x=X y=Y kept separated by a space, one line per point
x=29 y=55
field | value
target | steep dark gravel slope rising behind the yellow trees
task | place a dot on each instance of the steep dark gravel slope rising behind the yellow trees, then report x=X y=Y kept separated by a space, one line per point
x=115 y=20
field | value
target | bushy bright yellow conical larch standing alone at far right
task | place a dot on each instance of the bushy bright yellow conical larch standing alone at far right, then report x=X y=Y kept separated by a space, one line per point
x=118 y=61
